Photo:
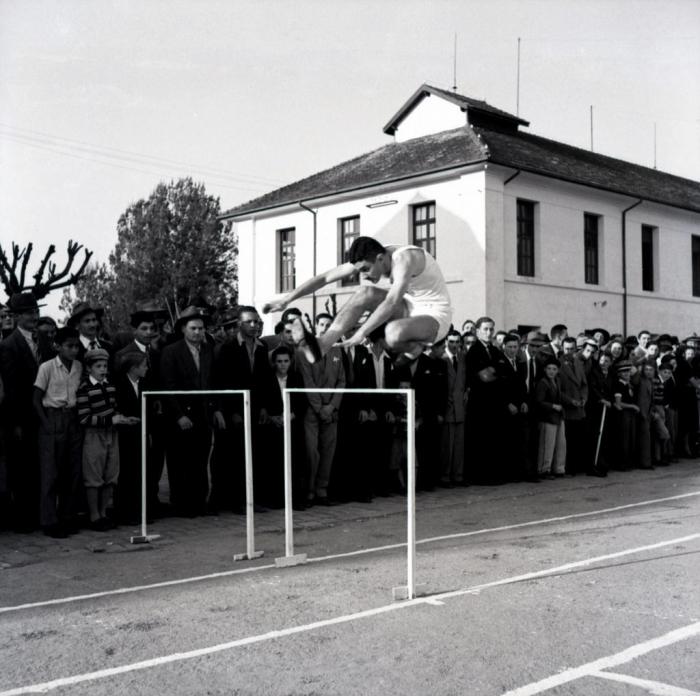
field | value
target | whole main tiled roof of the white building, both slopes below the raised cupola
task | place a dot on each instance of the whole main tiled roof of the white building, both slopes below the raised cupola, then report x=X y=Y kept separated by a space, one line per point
x=459 y=147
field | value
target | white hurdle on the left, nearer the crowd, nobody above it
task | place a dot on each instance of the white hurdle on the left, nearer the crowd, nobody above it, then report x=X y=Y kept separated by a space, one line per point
x=145 y=537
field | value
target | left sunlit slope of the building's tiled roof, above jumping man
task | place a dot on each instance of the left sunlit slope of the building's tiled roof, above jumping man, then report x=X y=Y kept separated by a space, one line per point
x=431 y=153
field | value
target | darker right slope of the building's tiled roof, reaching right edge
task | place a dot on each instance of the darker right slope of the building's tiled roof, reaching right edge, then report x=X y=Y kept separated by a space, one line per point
x=550 y=158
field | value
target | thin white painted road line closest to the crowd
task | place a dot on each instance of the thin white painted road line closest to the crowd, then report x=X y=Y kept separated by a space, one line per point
x=347 y=554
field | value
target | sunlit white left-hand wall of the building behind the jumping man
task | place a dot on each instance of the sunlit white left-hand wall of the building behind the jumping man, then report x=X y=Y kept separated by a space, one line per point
x=460 y=223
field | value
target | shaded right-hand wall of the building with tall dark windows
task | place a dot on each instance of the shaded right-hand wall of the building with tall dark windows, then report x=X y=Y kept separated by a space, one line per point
x=558 y=291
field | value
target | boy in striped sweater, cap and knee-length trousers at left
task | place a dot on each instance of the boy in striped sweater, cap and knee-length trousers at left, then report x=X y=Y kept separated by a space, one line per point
x=96 y=401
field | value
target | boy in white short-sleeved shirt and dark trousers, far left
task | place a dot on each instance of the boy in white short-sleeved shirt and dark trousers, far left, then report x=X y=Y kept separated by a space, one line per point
x=60 y=437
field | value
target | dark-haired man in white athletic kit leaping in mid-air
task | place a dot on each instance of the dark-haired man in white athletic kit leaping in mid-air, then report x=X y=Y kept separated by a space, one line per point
x=415 y=309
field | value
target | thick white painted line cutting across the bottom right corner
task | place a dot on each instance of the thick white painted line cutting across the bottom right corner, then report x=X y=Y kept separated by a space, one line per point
x=593 y=668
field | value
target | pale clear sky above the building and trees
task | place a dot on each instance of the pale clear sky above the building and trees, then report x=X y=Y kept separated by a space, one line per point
x=101 y=100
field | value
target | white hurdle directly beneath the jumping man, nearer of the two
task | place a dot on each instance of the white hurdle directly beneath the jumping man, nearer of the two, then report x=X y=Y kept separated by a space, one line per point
x=401 y=592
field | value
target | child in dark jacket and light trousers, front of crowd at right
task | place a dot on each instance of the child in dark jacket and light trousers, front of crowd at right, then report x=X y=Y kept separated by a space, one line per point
x=551 y=456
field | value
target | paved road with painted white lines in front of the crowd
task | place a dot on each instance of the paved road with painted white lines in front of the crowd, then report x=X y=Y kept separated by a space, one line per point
x=576 y=586
